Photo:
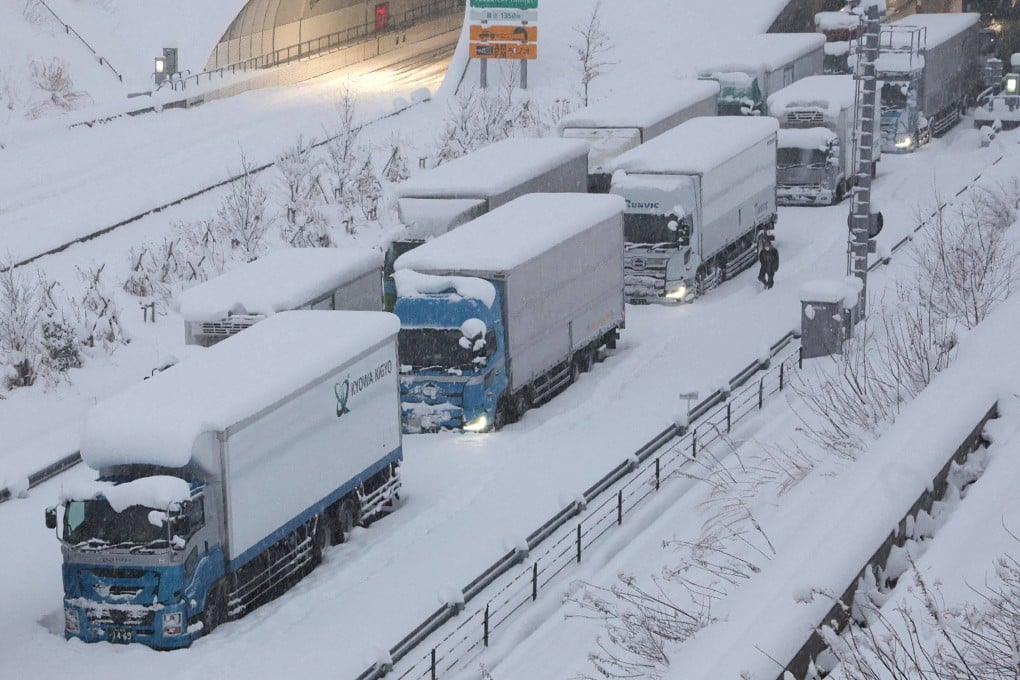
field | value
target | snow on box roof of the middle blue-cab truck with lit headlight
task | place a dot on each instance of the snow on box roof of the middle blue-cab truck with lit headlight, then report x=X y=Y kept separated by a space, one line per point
x=514 y=234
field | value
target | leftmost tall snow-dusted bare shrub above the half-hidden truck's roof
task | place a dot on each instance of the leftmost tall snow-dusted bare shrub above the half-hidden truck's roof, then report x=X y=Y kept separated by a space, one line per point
x=242 y=216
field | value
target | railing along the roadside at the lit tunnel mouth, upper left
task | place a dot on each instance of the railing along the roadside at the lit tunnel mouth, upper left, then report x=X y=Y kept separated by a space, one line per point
x=323 y=45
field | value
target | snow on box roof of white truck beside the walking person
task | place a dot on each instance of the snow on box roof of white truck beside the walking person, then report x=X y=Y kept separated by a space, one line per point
x=697 y=146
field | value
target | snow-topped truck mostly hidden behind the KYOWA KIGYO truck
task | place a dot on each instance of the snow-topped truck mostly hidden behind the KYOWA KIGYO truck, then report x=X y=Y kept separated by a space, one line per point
x=293 y=279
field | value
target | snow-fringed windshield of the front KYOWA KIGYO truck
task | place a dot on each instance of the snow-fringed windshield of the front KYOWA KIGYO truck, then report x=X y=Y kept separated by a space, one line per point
x=96 y=526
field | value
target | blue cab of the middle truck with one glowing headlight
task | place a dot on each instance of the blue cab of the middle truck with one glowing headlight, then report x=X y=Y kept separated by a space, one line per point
x=453 y=359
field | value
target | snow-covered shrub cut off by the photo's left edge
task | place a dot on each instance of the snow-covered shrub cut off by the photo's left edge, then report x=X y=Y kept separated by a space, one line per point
x=22 y=317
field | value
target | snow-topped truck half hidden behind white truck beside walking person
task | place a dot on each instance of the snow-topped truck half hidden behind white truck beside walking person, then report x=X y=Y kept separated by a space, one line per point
x=621 y=124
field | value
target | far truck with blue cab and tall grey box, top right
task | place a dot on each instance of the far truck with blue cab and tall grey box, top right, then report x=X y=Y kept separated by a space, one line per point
x=930 y=68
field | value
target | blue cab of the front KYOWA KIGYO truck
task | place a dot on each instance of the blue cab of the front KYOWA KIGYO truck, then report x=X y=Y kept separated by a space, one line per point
x=142 y=574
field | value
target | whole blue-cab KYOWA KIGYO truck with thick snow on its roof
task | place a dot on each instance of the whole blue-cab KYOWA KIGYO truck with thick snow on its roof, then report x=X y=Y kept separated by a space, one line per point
x=223 y=480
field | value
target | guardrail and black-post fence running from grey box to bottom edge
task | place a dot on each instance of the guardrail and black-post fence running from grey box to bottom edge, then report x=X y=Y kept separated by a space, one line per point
x=576 y=529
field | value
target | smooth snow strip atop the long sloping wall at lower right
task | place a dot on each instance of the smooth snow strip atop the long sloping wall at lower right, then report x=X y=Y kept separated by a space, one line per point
x=768 y=619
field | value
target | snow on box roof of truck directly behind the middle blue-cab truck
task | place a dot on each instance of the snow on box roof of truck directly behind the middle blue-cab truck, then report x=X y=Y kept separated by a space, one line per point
x=493 y=170
